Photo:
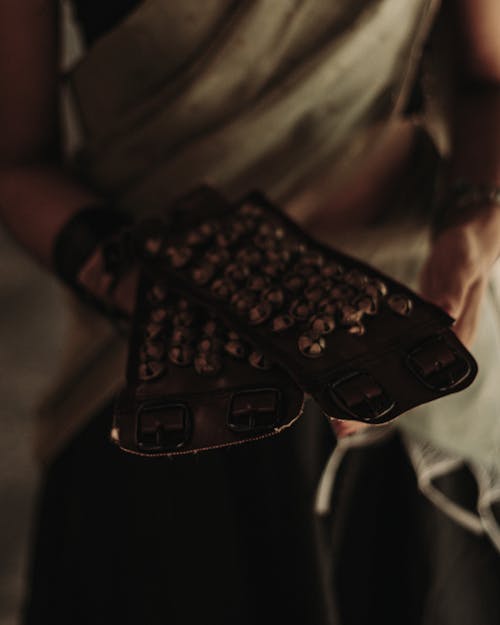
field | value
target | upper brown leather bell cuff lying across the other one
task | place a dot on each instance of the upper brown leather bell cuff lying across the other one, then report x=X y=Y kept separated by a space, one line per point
x=381 y=356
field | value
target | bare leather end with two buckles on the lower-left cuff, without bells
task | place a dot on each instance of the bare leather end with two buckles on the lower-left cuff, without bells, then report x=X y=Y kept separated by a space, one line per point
x=211 y=410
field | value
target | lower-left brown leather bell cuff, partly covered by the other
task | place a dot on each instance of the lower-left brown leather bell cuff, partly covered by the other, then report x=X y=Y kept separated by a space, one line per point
x=237 y=403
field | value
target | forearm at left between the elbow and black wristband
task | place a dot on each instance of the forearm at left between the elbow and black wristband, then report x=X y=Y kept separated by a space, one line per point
x=36 y=201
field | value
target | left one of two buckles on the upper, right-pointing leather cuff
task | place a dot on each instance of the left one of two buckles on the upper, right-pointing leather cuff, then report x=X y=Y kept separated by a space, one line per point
x=360 y=396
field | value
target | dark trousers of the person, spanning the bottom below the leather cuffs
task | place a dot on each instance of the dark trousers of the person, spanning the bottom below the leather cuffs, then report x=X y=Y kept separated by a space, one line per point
x=229 y=537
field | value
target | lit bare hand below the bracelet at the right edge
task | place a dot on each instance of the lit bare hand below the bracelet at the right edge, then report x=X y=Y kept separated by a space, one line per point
x=455 y=276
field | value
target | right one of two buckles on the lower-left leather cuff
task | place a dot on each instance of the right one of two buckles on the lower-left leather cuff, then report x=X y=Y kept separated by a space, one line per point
x=254 y=410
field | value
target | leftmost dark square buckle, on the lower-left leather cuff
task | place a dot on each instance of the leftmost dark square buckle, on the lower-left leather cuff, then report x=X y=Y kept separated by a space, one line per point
x=162 y=427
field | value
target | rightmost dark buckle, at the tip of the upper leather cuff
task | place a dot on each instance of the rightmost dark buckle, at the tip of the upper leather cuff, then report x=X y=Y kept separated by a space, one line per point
x=437 y=365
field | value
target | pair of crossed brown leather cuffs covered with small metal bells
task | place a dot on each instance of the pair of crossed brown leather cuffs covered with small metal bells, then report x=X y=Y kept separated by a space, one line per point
x=365 y=347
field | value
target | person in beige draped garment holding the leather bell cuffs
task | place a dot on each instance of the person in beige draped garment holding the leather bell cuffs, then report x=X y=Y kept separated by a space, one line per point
x=286 y=97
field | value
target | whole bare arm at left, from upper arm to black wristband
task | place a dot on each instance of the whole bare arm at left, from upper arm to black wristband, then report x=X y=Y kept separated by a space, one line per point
x=36 y=195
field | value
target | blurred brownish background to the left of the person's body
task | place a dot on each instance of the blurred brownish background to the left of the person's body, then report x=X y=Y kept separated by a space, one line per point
x=32 y=329
